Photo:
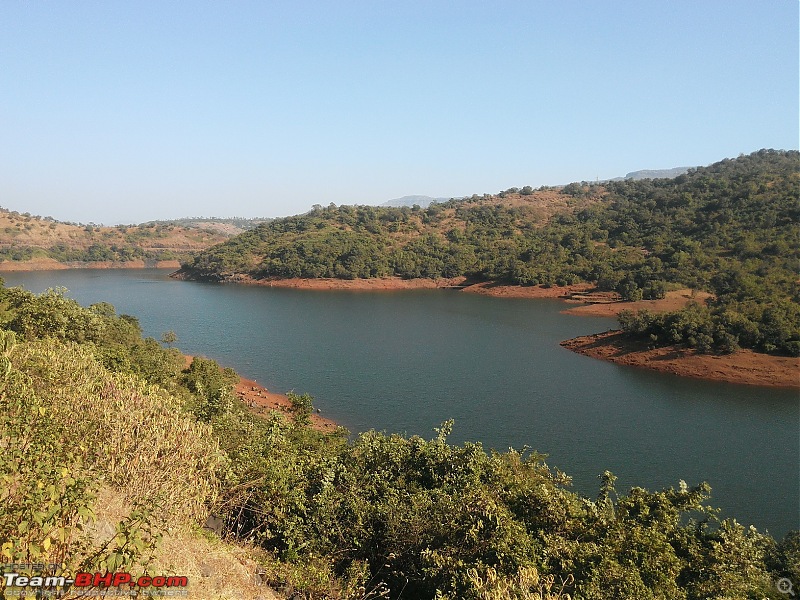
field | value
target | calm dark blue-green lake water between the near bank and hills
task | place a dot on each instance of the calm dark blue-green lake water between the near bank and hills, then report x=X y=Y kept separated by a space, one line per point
x=407 y=361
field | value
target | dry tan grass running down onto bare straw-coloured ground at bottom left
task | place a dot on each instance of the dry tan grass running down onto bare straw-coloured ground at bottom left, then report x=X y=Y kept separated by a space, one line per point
x=143 y=452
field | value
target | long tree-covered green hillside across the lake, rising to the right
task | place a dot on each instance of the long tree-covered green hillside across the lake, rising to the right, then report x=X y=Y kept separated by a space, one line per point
x=729 y=229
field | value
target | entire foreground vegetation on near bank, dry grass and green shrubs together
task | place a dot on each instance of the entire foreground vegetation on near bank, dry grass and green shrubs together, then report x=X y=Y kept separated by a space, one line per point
x=86 y=403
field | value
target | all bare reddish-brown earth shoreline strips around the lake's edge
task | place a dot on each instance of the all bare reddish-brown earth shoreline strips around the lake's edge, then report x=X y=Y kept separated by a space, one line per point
x=747 y=368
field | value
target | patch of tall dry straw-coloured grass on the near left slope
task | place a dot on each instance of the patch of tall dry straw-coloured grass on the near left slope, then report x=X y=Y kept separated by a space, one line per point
x=135 y=434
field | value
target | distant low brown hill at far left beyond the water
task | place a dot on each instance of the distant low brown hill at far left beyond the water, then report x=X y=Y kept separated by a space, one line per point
x=27 y=240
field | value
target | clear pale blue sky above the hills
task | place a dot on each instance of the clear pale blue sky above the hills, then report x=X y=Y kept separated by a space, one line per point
x=117 y=112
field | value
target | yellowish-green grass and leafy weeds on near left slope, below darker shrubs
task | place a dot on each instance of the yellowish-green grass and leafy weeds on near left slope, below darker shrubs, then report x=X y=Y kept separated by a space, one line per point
x=68 y=427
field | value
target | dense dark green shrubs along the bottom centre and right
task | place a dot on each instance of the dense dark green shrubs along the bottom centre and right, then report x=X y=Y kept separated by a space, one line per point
x=428 y=519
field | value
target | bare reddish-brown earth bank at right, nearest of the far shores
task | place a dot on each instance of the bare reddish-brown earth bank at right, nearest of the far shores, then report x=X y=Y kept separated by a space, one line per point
x=743 y=367
